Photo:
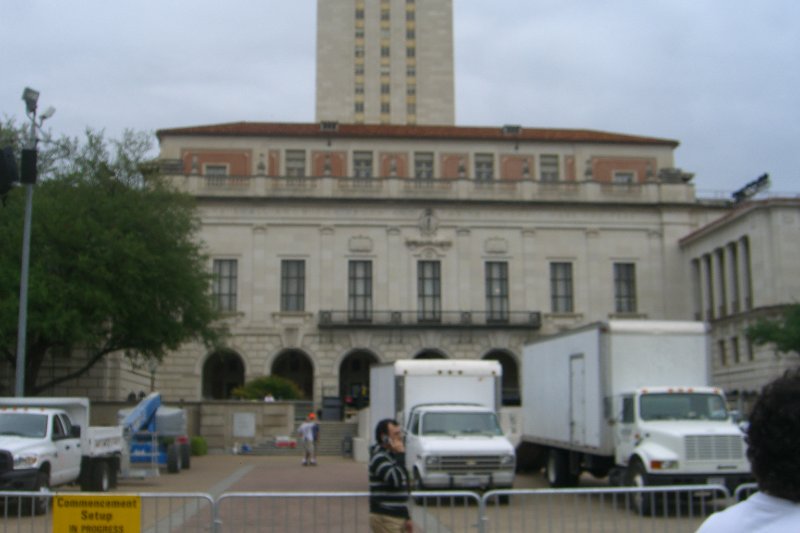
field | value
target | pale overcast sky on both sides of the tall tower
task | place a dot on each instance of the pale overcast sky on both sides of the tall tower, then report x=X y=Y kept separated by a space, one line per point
x=720 y=76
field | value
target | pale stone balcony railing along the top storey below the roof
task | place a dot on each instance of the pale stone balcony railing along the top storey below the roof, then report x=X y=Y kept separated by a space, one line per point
x=431 y=189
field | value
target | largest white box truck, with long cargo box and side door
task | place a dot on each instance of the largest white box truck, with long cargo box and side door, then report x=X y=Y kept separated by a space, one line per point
x=629 y=398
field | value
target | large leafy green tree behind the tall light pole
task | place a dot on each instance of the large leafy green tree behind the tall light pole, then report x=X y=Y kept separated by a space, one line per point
x=115 y=265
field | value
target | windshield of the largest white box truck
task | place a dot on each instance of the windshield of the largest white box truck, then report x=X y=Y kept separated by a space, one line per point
x=682 y=406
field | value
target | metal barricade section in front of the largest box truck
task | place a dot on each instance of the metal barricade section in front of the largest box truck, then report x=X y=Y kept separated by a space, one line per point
x=663 y=509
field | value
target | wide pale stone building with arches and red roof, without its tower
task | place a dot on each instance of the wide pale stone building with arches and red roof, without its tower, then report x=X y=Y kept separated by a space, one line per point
x=342 y=246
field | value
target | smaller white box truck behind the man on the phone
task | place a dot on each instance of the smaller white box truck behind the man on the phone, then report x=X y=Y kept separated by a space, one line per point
x=448 y=409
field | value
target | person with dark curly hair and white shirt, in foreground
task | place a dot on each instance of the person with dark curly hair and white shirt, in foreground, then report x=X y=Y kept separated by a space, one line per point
x=772 y=438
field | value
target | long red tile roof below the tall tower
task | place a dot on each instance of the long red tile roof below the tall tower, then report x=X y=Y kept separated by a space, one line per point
x=314 y=130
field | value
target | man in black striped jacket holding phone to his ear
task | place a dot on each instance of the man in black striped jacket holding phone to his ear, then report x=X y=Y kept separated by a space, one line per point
x=388 y=481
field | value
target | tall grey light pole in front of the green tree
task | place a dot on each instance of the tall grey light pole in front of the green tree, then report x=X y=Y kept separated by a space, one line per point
x=31 y=98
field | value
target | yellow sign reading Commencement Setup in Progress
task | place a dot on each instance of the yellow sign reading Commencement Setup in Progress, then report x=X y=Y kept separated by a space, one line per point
x=77 y=513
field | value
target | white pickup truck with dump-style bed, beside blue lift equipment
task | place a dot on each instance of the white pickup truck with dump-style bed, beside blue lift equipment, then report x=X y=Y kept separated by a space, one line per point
x=46 y=442
